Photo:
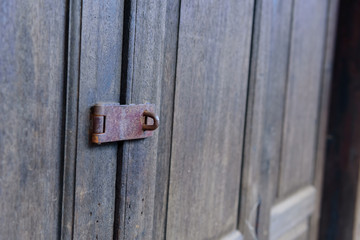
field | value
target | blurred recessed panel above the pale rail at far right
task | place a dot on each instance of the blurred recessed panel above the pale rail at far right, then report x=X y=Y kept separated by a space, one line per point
x=303 y=94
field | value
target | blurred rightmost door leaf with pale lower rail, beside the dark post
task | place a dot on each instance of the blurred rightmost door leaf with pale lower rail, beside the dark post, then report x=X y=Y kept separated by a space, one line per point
x=283 y=157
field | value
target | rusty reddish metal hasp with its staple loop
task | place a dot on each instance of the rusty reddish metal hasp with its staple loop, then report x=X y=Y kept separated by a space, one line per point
x=114 y=122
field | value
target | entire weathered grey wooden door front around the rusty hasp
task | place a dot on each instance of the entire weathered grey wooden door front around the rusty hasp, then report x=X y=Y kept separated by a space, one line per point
x=241 y=91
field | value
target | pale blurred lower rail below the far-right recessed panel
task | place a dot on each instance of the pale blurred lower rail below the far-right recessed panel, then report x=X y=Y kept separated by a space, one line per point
x=291 y=212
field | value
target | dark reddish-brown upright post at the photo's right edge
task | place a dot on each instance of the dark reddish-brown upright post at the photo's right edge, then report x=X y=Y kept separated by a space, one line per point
x=342 y=162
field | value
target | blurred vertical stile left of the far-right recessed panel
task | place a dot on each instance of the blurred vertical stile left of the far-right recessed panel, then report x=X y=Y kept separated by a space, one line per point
x=269 y=63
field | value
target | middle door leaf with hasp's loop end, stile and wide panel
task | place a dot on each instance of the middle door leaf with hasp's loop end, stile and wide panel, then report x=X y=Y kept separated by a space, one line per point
x=195 y=68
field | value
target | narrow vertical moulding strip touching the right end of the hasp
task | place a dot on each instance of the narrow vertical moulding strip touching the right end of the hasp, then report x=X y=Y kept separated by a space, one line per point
x=166 y=116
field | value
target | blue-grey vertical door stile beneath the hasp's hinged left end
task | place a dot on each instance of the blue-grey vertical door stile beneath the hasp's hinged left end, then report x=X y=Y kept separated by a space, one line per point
x=99 y=80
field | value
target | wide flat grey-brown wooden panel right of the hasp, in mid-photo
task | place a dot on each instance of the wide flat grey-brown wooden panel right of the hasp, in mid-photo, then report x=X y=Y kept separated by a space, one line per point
x=209 y=108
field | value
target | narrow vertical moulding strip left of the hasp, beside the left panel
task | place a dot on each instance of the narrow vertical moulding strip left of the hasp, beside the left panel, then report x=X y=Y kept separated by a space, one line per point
x=71 y=104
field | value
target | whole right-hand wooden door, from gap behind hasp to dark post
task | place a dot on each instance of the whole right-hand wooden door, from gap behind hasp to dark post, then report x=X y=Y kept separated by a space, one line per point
x=212 y=77
